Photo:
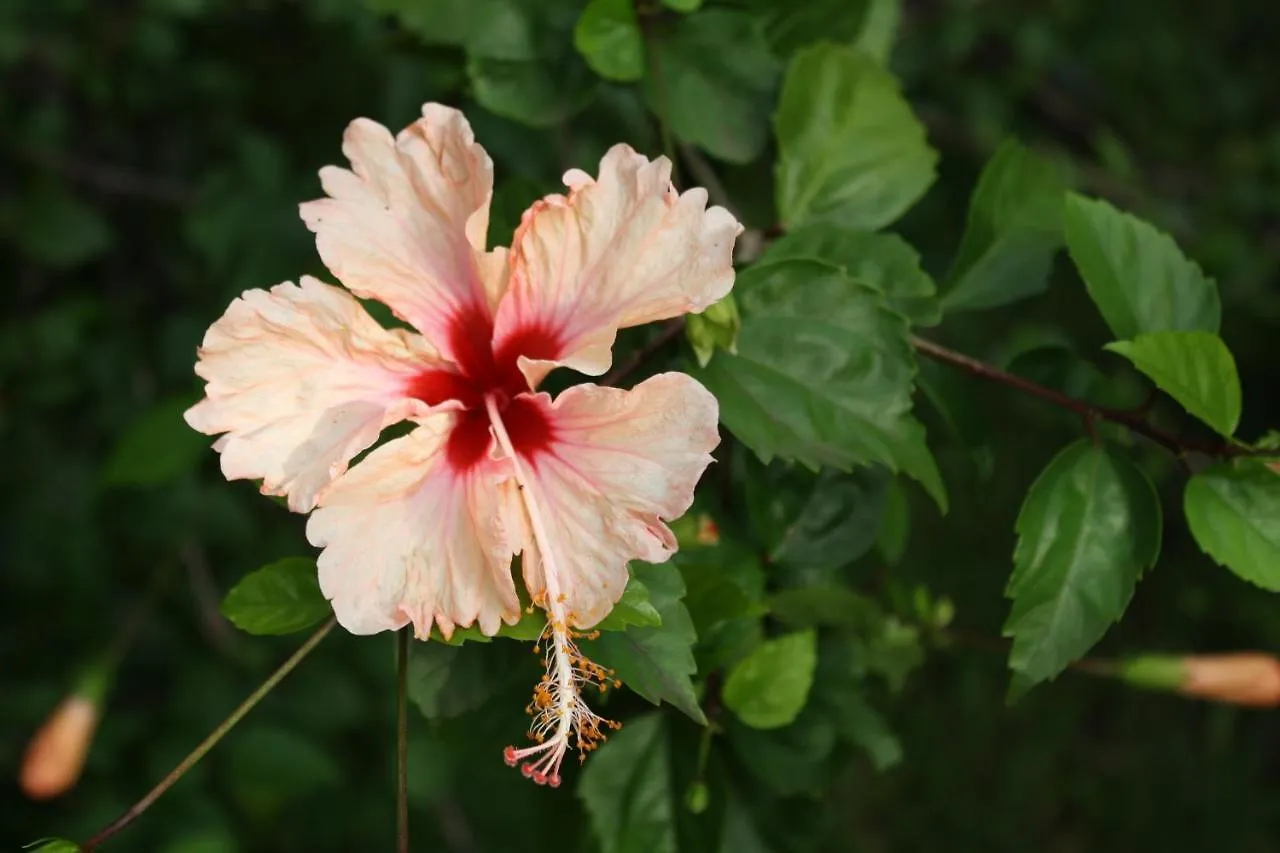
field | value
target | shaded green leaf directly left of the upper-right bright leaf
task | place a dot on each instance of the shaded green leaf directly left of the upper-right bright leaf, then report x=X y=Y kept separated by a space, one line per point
x=1014 y=230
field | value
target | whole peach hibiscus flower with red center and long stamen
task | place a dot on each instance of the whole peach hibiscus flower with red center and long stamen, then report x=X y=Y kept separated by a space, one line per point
x=300 y=380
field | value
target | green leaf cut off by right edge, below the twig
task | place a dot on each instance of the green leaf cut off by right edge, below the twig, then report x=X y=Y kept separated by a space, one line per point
x=1235 y=514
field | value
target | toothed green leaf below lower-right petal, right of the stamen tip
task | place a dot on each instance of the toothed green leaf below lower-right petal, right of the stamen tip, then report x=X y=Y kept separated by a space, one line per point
x=656 y=662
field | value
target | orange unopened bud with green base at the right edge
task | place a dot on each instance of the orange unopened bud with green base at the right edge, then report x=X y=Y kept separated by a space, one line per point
x=1241 y=678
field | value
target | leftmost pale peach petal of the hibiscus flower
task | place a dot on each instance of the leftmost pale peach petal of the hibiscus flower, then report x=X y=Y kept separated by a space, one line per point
x=300 y=380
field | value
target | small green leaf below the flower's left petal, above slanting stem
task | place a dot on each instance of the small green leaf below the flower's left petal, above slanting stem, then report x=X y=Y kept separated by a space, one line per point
x=280 y=599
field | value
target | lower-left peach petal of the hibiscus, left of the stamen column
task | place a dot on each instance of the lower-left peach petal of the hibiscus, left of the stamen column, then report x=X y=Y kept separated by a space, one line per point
x=410 y=540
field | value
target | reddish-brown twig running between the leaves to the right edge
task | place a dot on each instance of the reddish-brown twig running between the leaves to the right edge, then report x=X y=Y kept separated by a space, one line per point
x=1133 y=419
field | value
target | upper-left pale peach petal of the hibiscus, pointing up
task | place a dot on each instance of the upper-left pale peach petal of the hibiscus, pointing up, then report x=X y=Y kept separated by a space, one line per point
x=406 y=226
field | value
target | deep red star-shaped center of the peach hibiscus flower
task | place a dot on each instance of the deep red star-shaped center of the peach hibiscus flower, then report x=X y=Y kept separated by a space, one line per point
x=488 y=370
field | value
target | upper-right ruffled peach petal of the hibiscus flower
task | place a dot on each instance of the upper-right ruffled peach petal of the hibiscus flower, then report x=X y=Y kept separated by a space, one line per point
x=616 y=253
